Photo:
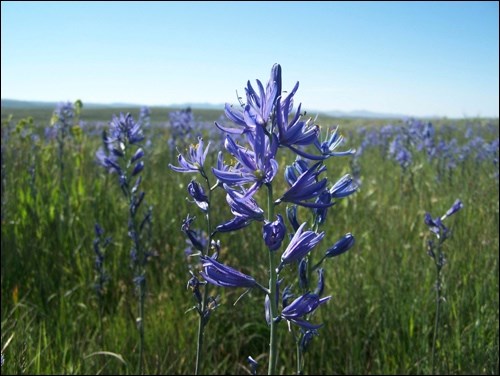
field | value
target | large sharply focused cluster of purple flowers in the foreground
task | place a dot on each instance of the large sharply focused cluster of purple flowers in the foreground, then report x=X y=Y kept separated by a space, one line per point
x=263 y=126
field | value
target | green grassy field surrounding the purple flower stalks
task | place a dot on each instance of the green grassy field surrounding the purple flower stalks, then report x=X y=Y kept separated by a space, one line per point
x=381 y=315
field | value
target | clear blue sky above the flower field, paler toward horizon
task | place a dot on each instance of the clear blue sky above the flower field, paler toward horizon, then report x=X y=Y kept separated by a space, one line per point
x=408 y=58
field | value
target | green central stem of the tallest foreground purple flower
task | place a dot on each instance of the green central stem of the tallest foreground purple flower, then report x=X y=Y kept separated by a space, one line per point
x=273 y=277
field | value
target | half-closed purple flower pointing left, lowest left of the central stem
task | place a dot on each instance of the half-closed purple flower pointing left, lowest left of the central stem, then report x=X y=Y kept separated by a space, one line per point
x=224 y=276
